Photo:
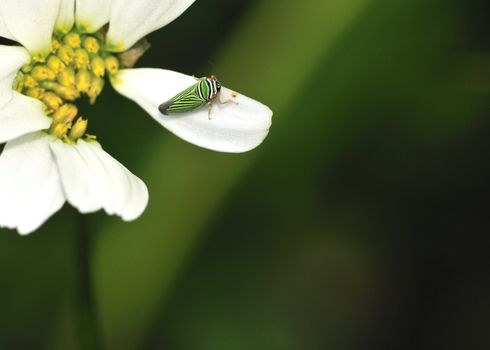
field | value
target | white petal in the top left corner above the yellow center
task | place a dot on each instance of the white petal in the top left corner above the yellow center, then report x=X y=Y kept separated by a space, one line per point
x=31 y=22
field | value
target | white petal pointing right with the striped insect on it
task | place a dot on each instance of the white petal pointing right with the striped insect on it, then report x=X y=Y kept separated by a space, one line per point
x=237 y=126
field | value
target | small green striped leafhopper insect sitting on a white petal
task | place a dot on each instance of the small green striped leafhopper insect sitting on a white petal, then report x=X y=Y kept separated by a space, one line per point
x=202 y=92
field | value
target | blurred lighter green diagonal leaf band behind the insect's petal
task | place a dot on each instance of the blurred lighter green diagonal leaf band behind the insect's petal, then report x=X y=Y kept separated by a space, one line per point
x=136 y=263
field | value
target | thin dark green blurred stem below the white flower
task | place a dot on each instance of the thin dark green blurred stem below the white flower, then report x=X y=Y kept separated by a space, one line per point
x=86 y=317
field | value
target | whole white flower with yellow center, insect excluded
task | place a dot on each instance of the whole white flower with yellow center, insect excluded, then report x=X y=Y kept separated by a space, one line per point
x=67 y=47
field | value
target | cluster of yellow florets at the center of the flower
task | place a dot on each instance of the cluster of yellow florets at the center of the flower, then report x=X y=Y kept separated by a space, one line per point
x=75 y=68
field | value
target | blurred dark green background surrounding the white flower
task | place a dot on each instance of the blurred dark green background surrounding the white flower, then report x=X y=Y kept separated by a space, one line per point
x=360 y=223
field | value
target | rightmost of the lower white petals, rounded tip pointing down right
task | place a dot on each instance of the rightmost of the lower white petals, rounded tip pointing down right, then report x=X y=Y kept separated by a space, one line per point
x=115 y=187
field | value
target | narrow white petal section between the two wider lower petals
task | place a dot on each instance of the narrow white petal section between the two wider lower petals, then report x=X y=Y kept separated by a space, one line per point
x=75 y=177
